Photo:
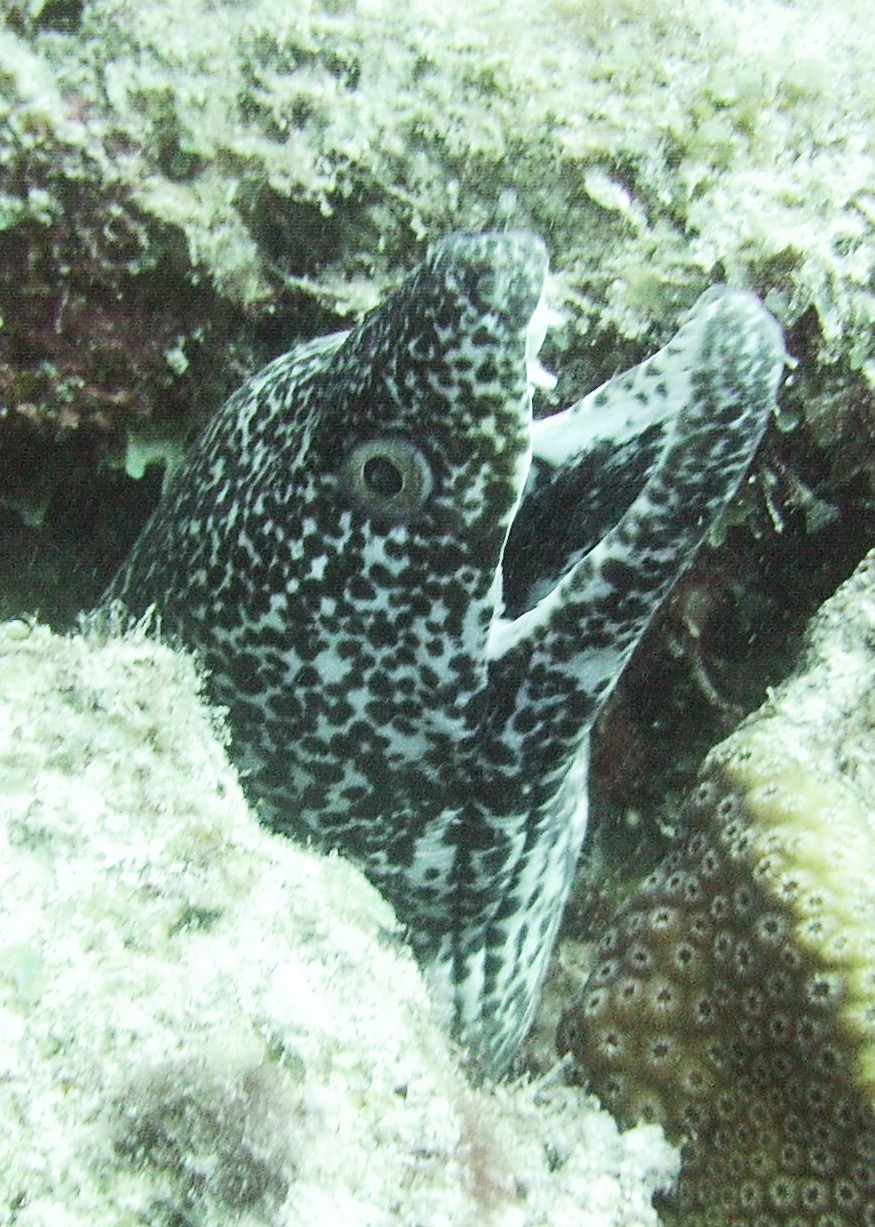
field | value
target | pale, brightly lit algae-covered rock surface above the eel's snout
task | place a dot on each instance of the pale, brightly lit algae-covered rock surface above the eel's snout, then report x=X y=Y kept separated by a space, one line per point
x=658 y=147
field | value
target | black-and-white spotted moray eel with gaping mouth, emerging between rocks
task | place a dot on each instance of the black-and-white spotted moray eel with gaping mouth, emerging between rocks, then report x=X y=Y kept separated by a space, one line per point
x=414 y=602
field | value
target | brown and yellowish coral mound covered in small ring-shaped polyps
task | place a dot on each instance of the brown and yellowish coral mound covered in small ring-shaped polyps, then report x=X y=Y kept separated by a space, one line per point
x=733 y=997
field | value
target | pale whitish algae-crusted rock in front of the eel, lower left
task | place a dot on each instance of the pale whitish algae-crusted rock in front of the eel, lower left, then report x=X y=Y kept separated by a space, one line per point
x=203 y=1024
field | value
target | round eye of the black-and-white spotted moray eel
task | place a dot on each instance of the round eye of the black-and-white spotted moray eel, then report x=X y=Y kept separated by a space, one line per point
x=388 y=478
